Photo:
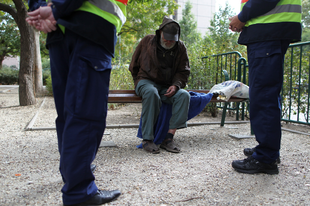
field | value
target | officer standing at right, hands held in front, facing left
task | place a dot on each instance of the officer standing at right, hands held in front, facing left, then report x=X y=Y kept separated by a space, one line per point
x=267 y=28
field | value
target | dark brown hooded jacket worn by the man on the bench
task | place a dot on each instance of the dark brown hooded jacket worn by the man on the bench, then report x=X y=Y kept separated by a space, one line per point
x=145 y=63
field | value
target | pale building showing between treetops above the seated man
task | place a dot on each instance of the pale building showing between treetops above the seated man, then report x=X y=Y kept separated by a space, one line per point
x=203 y=11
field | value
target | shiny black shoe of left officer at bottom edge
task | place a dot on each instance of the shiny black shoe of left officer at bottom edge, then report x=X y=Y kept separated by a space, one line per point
x=102 y=196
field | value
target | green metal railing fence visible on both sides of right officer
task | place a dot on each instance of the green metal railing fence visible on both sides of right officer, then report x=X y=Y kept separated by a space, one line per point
x=296 y=80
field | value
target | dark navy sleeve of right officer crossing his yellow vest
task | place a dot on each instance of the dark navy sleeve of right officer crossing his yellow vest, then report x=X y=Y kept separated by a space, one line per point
x=255 y=8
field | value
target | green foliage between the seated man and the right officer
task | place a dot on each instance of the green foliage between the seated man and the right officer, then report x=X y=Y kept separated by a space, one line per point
x=208 y=71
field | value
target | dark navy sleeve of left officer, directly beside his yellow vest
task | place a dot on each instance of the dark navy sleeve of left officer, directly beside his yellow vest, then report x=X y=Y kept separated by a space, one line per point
x=63 y=8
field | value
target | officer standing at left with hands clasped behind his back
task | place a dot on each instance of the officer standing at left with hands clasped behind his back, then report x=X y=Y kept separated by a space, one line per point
x=81 y=40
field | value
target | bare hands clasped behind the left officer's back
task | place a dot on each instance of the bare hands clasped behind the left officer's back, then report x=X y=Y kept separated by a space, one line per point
x=42 y=19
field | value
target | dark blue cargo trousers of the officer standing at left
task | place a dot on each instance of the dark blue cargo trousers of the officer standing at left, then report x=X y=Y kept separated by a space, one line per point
x=80 y=78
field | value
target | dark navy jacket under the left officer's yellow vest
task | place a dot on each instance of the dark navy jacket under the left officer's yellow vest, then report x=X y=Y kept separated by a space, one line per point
x=88 y=25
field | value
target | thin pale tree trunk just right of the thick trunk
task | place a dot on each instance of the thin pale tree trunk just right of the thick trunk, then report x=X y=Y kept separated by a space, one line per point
x=38 y=64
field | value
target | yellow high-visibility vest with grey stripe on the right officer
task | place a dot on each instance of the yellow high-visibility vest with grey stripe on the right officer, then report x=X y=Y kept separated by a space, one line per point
x=285 y=11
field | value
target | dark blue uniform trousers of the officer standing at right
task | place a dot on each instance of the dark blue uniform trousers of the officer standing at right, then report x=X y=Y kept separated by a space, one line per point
x=265 y=81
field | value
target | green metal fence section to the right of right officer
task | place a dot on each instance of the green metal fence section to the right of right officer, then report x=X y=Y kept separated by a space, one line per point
x=296 y=87
